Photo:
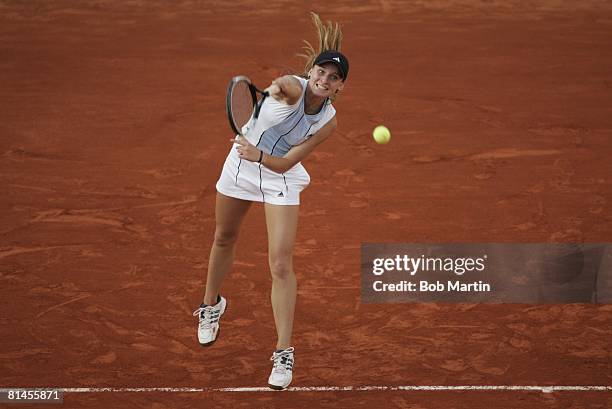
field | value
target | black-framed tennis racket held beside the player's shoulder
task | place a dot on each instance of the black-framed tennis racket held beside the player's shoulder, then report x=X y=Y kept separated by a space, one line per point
x=243 y=104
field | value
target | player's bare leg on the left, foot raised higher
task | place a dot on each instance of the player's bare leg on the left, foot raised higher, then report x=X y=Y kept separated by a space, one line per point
x=229 y=213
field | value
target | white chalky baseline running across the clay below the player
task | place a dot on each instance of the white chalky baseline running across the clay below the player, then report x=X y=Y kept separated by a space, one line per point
x=528 y=388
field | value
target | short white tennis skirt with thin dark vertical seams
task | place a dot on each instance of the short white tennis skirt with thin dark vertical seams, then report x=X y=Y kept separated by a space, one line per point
x=246 y=180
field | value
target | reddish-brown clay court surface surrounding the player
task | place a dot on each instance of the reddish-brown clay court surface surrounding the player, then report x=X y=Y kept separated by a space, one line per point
x=112 y=136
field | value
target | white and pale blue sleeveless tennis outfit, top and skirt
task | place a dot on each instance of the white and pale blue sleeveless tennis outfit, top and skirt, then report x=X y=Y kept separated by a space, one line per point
x=278 y=129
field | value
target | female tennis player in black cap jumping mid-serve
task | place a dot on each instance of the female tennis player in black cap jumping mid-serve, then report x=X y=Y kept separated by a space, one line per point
x=265 y=166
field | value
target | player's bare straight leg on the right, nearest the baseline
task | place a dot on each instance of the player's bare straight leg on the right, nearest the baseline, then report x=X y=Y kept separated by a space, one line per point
x=282 y=224
